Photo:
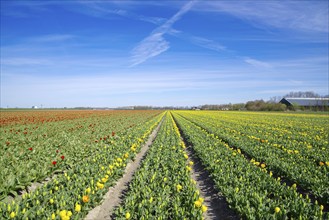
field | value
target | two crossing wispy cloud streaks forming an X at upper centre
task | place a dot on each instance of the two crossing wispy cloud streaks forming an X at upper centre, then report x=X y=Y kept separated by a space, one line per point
x=155 y=43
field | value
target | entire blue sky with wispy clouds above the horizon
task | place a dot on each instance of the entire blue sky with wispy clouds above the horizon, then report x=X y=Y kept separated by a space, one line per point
x=160 y=53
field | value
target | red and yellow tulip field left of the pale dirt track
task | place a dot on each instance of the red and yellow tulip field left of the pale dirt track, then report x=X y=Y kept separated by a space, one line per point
x=83 y=155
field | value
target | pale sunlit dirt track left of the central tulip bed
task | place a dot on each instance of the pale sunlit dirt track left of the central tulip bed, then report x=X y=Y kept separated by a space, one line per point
x=114 y=196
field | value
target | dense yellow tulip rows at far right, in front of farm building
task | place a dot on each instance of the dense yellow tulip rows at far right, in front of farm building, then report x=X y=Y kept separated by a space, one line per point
x=303 y=134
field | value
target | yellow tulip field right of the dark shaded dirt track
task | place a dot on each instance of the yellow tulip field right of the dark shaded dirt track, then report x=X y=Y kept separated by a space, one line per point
x=267 y=165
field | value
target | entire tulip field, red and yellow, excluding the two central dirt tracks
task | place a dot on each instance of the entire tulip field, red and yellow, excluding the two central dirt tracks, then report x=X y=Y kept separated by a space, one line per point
x=60 y=164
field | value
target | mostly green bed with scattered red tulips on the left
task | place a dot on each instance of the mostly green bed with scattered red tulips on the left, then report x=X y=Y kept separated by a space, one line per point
x=32 y=152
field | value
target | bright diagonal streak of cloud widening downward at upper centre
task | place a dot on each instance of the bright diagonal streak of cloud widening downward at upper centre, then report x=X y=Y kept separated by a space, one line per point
x=155 y=44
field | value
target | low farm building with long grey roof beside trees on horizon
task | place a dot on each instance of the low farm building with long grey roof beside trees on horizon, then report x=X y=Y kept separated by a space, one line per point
x=306 y=102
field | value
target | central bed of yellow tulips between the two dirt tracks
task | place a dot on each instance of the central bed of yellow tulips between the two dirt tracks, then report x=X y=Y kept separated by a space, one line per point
x=162 y=188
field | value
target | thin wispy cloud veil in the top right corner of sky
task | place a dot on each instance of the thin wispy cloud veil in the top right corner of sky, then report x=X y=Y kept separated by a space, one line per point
x=296 y=15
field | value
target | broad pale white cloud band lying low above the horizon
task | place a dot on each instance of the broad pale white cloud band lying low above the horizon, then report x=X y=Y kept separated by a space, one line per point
x=118 y=89
